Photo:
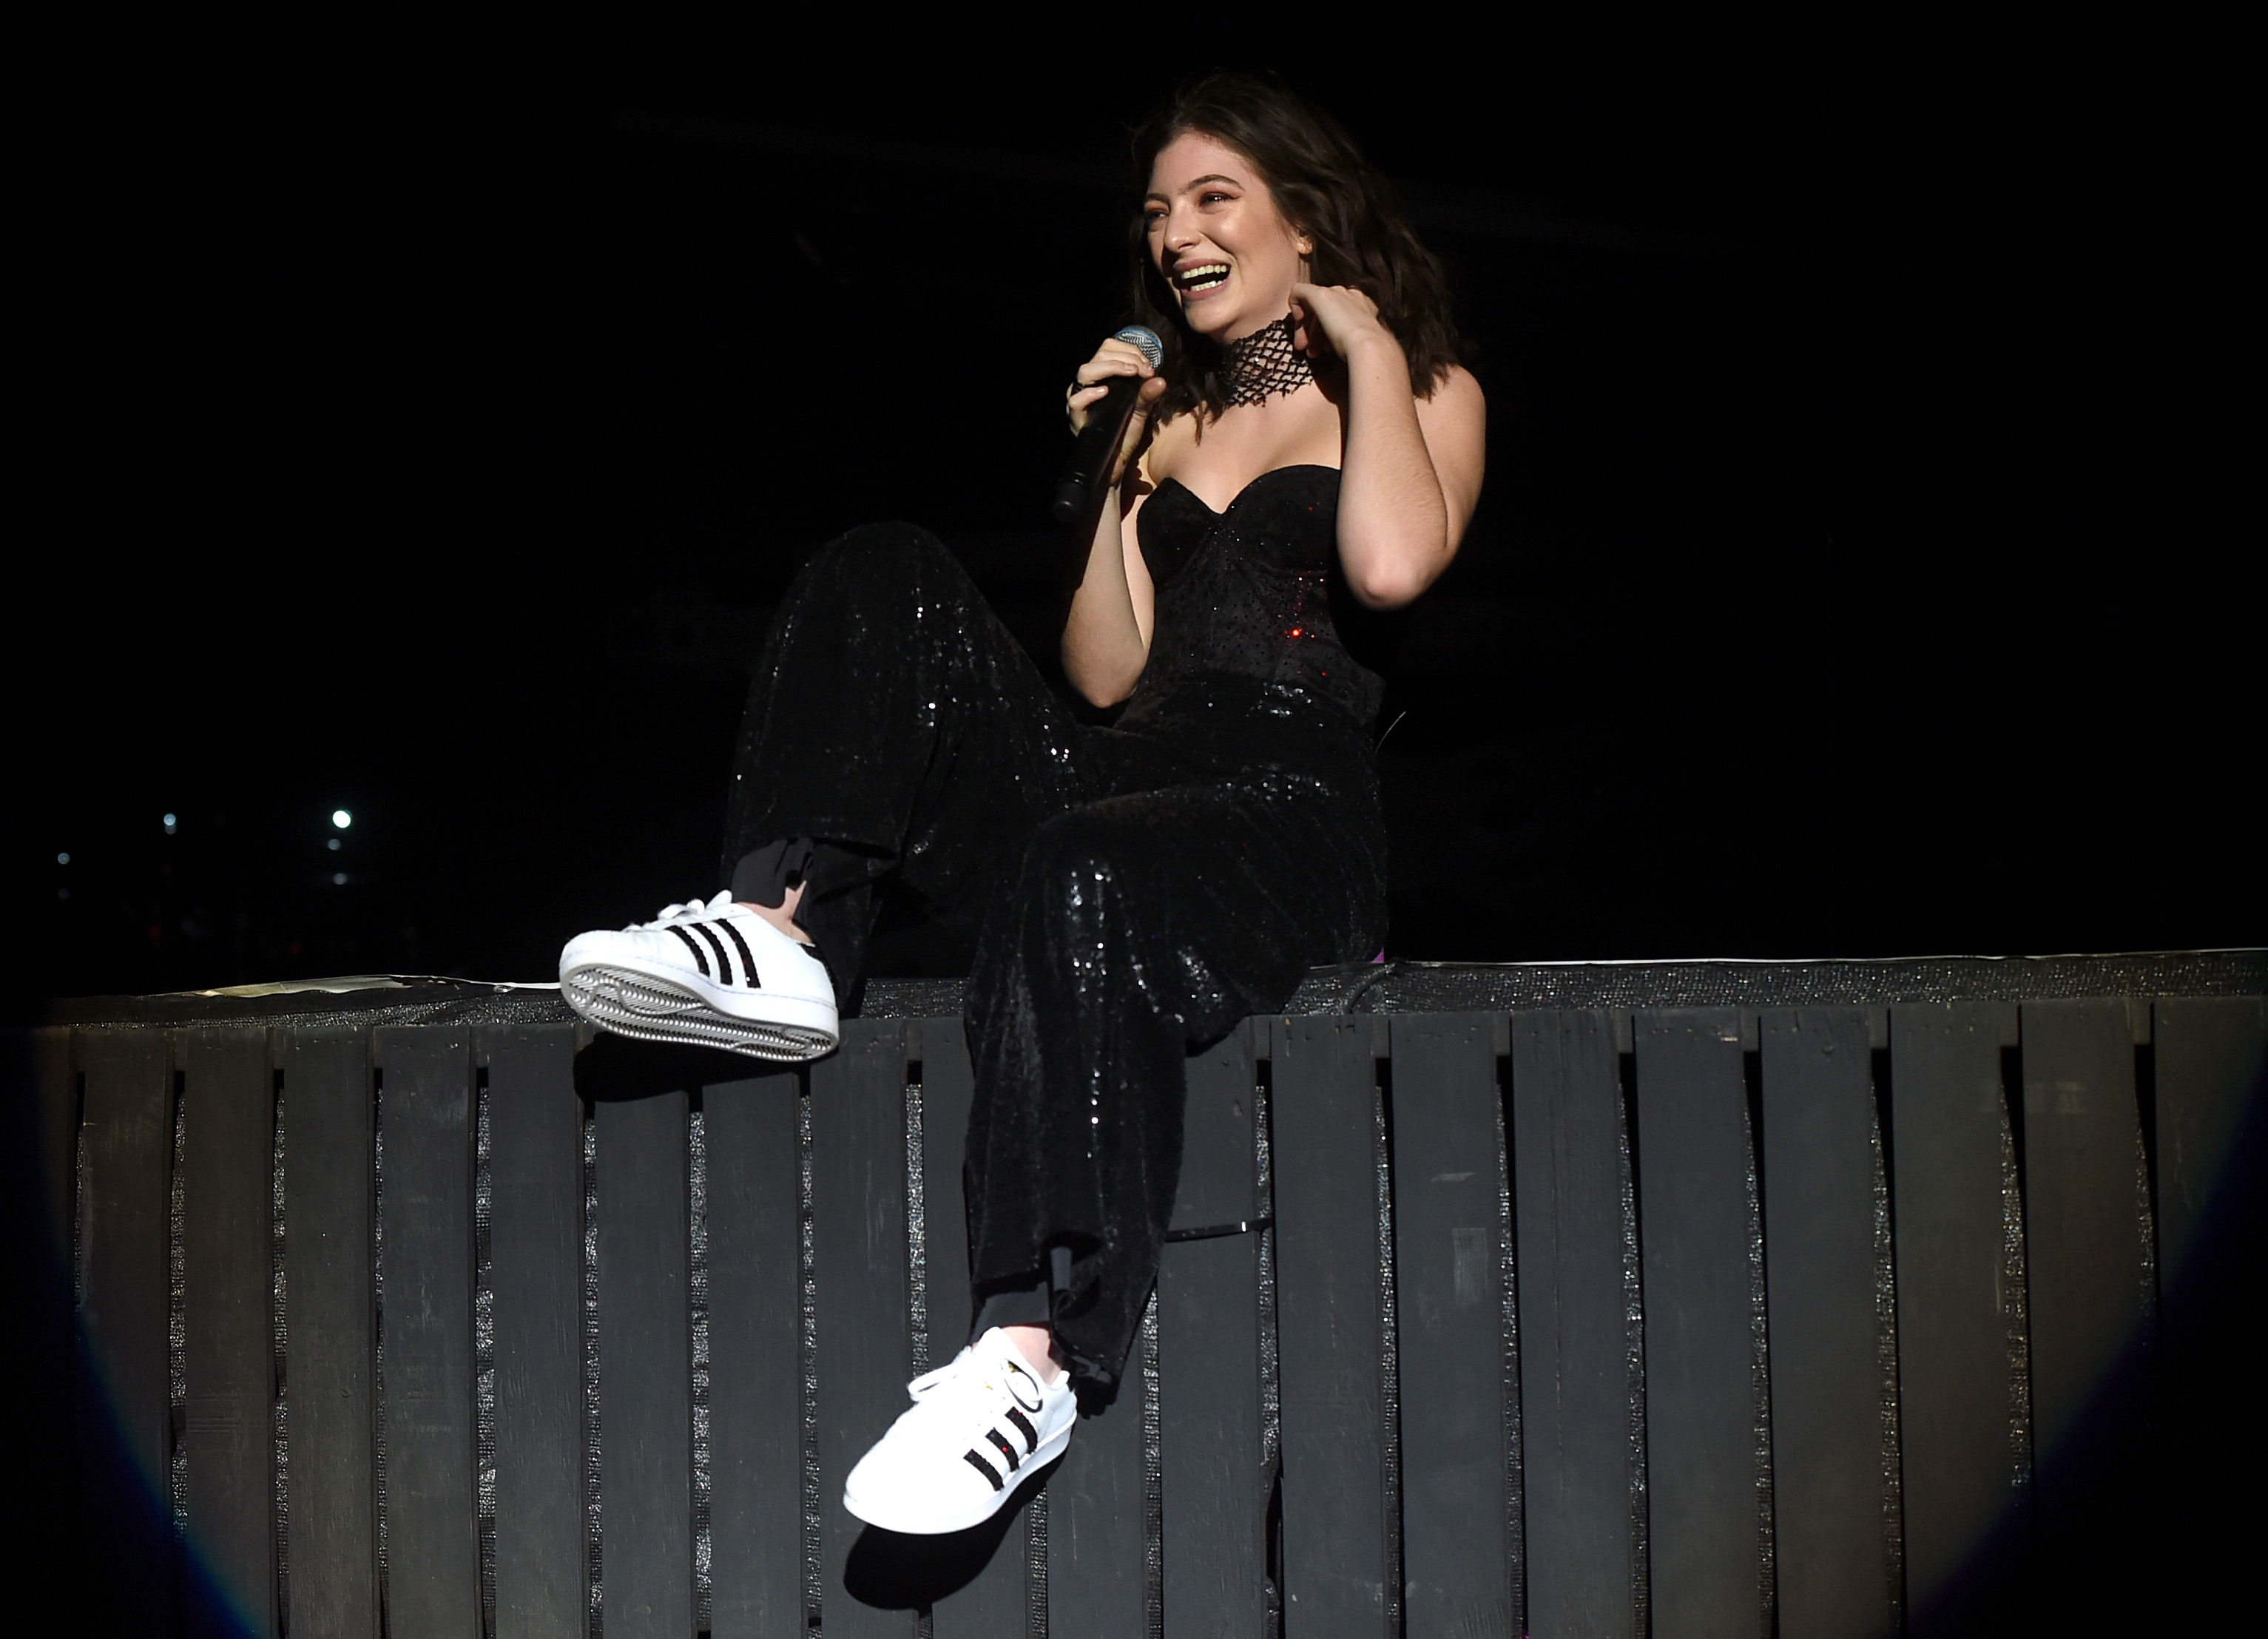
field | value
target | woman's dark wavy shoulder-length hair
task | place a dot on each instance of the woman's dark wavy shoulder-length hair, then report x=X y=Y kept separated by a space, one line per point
x=1326 y=189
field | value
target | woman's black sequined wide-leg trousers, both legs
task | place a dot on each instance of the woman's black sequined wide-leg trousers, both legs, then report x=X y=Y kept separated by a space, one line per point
x=1137 y=897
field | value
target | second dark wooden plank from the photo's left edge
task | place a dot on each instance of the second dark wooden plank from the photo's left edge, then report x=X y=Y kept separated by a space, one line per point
x=126 y=1407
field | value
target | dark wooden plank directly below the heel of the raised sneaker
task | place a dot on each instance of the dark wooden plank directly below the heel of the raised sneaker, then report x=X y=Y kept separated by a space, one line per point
x=756 y=1357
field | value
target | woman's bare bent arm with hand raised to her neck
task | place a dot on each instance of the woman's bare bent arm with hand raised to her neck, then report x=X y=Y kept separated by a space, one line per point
x=1412 y=468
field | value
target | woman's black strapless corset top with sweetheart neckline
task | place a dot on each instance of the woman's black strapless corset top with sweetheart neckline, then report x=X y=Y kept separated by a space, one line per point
x=1249 y=595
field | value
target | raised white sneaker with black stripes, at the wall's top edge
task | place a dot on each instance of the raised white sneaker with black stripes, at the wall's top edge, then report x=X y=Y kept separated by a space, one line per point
x=716 y=976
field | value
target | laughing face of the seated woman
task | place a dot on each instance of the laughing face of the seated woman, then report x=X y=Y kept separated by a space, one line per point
x=1219 y=239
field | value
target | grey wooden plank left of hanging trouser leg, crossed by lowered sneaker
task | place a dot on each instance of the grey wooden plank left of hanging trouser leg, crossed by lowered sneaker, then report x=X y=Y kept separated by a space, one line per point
x=997 y=1602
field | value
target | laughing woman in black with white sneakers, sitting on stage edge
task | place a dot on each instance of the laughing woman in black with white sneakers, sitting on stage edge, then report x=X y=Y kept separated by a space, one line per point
x=1140 y=888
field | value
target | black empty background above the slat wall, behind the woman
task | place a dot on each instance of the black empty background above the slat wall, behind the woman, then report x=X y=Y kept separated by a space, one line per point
x=425 y=427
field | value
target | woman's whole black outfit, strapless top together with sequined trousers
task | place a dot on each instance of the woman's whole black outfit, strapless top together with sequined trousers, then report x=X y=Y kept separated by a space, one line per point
x=1137 y=890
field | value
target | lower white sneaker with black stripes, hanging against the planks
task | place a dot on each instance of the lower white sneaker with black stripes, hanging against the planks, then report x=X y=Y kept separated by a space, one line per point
x=956 y=1459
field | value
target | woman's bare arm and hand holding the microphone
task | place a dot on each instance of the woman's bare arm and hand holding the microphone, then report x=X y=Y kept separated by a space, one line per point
x=1108 y=636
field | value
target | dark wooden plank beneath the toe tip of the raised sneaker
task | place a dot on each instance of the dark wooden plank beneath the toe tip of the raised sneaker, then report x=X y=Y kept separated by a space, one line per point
x=536 y=1289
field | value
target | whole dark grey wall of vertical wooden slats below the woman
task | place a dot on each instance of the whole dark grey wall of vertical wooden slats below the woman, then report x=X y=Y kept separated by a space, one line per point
x=1988 y=1286
